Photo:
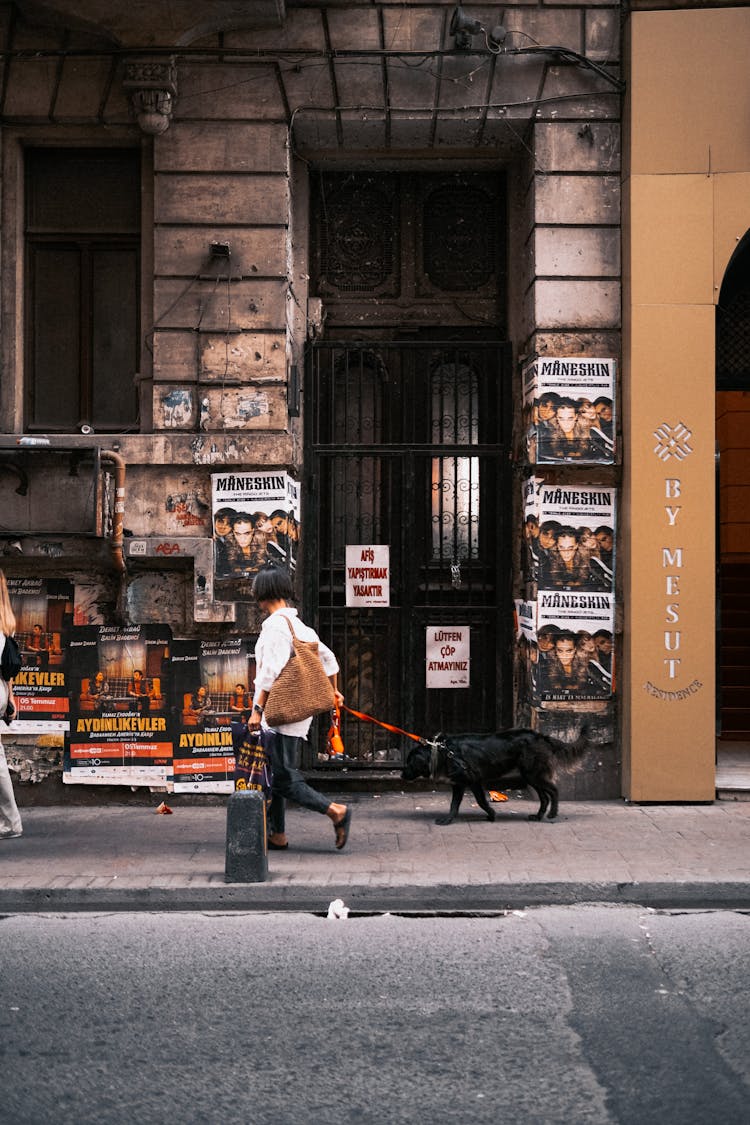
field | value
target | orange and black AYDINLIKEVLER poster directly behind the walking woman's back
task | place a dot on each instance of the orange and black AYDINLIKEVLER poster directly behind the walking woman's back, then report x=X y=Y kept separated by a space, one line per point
x=213 y=689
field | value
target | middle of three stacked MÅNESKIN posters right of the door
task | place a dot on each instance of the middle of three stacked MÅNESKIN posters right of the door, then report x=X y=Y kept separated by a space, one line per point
x=570 y=536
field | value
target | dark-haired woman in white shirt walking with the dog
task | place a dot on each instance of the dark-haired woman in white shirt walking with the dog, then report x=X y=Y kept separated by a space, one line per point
x=273 y=591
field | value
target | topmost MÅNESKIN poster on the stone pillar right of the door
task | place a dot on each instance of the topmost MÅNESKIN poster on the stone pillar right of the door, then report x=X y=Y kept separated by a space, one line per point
x=570 y=410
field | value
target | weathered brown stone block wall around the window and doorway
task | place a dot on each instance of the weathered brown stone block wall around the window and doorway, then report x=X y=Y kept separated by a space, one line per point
x=255 y=109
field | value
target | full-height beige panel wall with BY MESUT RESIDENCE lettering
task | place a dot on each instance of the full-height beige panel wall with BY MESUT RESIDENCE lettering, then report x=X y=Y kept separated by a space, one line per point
x=686 y=206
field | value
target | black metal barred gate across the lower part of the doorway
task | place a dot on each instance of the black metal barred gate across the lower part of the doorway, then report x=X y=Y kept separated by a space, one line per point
x=409 y=446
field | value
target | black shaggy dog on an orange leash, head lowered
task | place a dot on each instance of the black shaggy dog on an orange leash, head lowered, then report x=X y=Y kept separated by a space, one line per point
x=475 y=761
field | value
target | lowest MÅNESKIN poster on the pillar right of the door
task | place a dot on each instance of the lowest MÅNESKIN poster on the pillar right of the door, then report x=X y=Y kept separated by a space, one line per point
x=567 y=652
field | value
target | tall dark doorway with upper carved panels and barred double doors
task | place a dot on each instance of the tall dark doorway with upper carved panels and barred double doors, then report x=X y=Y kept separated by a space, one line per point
x=408 y=409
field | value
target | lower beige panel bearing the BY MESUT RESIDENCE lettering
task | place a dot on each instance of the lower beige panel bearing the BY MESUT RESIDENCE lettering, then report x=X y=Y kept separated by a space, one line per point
x=670 y=641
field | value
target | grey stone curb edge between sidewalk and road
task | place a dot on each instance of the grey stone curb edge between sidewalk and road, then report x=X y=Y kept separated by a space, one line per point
x=367 y=901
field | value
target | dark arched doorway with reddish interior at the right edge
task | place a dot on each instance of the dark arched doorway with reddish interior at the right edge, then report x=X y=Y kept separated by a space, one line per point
x=734 y=523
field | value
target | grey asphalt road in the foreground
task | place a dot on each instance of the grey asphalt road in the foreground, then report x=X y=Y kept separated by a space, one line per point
x=562 y=1015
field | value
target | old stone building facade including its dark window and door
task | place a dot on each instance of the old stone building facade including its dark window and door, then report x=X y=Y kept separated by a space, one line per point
x=202 y=185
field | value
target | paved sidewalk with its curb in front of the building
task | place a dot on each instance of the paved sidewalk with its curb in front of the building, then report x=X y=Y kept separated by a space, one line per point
x=397 y=859
